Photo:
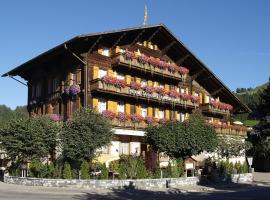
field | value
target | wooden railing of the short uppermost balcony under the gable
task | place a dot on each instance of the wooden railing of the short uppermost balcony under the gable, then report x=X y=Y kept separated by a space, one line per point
x=137 y=63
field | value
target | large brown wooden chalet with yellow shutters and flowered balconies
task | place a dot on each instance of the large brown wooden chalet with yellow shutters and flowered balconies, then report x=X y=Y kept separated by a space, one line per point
x=135 y=77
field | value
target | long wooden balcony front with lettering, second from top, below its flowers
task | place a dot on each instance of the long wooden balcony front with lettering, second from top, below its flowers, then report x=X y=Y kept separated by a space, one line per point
x=98 y=86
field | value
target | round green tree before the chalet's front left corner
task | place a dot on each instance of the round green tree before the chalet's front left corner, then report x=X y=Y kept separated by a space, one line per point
x=83 y=134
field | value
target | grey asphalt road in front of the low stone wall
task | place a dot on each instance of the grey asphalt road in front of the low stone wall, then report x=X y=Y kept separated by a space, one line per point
x=12 y=192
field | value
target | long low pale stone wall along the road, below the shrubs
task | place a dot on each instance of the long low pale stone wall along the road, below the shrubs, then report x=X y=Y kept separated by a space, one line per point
x=104 y=184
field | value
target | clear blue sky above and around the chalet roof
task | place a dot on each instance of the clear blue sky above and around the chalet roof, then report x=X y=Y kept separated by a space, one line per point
x=230 y=36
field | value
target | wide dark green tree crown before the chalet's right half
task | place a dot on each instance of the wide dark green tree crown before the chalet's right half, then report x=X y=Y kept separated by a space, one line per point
x=181 y=140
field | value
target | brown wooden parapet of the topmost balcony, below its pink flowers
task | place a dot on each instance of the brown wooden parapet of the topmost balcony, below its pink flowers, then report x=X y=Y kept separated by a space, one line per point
x=120 y=61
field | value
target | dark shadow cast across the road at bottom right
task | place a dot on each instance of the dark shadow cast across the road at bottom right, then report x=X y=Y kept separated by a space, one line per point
x=244 y=192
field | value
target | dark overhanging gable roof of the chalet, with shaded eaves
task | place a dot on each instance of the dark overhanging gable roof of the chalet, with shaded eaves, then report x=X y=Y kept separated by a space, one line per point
x=158 y=34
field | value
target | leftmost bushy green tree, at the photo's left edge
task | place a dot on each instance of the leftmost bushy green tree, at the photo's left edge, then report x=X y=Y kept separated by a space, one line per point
x=26 y=139
